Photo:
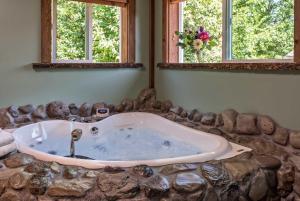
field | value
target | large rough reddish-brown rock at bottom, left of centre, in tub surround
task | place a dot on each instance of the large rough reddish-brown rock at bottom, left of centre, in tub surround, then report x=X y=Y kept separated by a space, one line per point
x=118 y=186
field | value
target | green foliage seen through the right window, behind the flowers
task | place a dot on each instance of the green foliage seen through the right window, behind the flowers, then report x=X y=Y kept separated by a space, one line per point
x=262 y=29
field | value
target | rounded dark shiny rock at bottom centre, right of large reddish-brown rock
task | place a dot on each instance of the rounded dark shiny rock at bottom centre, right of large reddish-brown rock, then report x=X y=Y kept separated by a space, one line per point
x=156 y=186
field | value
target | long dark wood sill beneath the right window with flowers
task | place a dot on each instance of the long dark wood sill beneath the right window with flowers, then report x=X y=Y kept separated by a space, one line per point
x=231 y=66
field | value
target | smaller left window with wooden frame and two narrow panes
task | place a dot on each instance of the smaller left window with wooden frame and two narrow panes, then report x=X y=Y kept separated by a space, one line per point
x=88 y=31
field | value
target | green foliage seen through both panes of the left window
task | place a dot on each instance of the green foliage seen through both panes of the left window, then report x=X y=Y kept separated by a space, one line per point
x=71 y=32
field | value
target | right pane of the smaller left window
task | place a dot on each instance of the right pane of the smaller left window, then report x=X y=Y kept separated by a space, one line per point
x=106 y=33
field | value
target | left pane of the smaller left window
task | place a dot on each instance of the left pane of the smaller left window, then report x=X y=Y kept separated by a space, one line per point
x=70 y=30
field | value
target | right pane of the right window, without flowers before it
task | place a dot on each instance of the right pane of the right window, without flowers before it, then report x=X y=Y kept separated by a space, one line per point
x=263 y=29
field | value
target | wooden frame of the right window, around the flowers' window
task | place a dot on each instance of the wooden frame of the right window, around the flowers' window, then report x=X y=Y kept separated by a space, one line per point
x=171 y=13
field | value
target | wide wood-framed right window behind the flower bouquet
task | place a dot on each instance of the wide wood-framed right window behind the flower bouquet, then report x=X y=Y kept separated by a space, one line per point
x=255 y=31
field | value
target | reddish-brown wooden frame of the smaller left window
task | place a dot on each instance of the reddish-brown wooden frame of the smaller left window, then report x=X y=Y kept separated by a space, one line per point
x=127 y=25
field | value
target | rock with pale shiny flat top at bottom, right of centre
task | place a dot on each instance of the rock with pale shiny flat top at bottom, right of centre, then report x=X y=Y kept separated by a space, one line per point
x=189 y=182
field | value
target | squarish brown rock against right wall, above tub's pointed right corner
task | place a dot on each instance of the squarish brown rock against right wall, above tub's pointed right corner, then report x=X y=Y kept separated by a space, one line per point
x=246 y=124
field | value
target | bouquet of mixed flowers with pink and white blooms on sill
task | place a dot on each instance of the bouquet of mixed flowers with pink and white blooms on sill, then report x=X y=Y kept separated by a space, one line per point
x=196 y=41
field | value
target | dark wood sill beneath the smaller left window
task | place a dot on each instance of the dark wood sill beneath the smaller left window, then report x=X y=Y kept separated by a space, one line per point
x=84 y=66
